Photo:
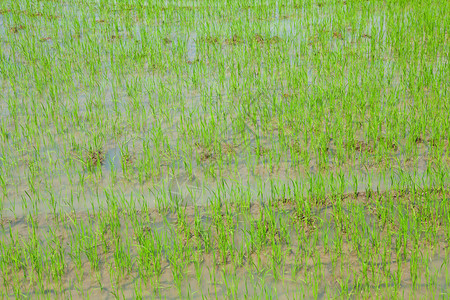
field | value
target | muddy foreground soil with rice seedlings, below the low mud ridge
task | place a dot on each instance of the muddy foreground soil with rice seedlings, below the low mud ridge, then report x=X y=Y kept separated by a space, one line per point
x=388 y=244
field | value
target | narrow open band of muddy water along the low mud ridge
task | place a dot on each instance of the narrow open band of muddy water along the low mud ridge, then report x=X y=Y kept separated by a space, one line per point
x=185 y=189
